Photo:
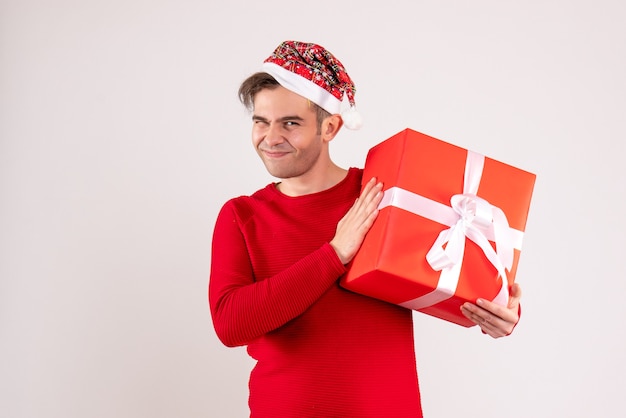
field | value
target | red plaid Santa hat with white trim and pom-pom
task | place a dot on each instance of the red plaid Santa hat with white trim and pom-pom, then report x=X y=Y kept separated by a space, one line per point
x=314 y=73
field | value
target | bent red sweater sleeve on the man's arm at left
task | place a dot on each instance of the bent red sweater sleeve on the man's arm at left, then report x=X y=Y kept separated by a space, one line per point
x=243 y=309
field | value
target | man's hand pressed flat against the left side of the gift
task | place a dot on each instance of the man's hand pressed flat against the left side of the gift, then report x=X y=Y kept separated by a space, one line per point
x=352 y=228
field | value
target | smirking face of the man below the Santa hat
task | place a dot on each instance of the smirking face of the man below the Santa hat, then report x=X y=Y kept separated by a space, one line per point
x=285 y=133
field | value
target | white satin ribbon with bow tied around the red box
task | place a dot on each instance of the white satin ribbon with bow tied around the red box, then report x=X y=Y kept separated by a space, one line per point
x=468 y=216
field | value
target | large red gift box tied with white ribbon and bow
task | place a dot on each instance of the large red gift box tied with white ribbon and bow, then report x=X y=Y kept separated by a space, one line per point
x=449 y=229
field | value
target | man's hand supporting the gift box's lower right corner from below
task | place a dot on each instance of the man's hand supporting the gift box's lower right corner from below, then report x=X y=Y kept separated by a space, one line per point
x=493 y=319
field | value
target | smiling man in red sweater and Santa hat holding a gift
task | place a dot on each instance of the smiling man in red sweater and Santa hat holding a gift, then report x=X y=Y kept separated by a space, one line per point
x=278 y=254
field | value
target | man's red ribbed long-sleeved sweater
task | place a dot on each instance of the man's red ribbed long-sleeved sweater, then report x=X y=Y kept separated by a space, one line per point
x=321 y=350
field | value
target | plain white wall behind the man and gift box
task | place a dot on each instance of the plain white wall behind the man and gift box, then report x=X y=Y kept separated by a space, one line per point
x=121 y=136
